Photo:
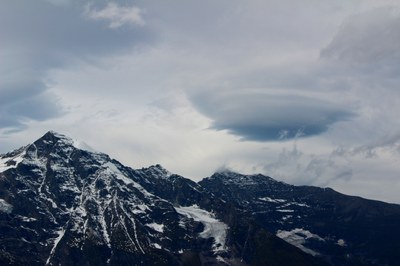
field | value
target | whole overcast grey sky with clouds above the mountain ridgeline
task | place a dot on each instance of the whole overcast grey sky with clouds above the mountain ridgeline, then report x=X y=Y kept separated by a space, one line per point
x=307 y=92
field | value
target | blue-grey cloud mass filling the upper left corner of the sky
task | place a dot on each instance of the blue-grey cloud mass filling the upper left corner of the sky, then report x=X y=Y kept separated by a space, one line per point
x=38 y=36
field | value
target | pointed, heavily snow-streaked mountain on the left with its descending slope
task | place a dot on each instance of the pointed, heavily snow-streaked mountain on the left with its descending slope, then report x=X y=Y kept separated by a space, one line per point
x=63 y=204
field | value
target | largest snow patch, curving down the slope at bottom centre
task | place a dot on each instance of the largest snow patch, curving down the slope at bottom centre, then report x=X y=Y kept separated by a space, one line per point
x=212 y=227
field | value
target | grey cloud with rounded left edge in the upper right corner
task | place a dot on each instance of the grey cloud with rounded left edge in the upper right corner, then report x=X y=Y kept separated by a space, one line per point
x=368 y=37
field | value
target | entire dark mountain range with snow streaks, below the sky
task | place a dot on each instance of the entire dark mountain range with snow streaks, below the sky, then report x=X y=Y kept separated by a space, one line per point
x=61 y=203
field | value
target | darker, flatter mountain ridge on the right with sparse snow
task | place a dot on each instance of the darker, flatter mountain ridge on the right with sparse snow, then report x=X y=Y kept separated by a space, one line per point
x=344 y=230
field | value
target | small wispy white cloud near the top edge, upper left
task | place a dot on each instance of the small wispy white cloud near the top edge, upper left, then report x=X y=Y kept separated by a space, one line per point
x=116 y=15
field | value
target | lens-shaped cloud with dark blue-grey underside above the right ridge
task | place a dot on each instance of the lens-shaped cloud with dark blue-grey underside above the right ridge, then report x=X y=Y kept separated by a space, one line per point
x=265 y=116
